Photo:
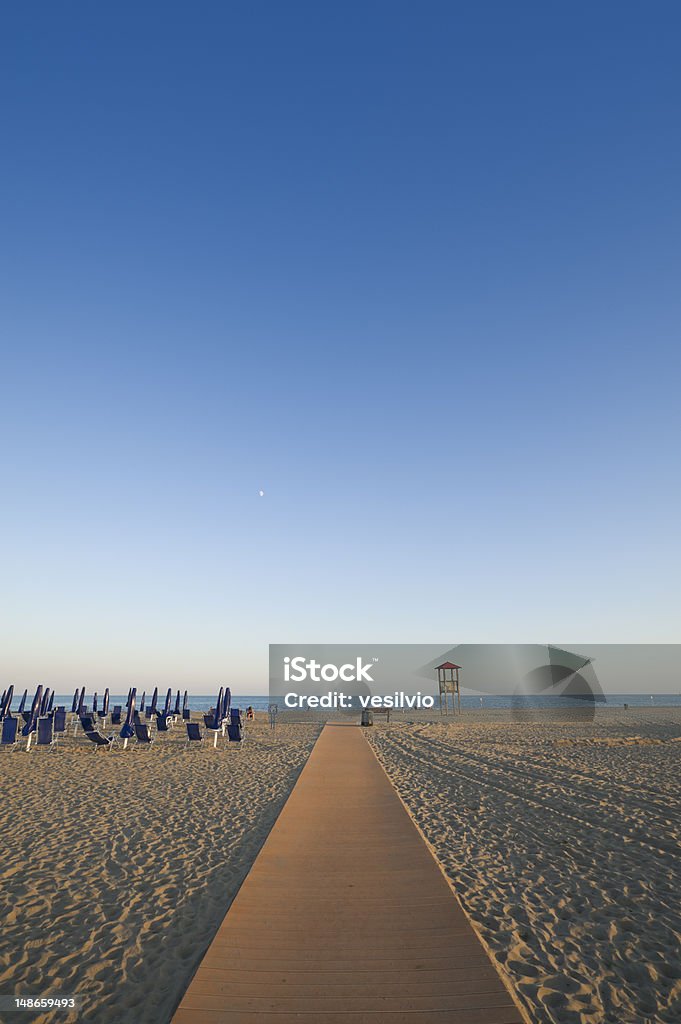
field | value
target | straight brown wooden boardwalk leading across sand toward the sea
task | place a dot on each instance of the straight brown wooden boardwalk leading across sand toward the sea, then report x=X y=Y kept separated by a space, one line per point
x=346 y=918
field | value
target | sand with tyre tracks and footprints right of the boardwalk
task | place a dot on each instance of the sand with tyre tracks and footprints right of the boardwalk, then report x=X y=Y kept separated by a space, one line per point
x=562 y=839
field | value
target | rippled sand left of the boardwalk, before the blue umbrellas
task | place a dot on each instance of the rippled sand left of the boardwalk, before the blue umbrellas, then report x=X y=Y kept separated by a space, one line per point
x=118 y=868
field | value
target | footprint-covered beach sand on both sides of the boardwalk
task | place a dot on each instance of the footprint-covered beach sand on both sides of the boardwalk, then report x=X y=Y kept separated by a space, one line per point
x=561 y=837
